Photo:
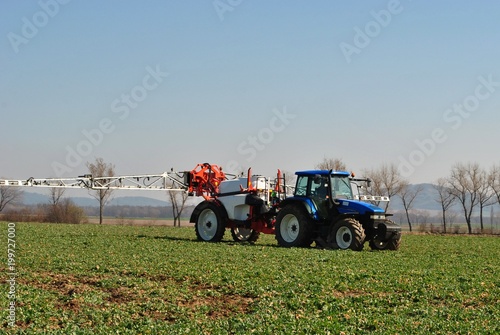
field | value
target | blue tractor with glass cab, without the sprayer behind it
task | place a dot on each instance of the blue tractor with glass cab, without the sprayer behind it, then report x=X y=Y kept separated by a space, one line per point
x=323 y=209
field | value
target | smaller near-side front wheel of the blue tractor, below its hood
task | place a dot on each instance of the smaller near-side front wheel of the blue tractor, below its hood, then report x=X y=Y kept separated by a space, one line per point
x=347 y=233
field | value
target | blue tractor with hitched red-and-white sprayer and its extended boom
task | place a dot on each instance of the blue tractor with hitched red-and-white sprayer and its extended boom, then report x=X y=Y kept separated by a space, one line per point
x=324 y=207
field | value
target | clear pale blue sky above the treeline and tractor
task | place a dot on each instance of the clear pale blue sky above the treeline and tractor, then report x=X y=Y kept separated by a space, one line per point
x=150 y=85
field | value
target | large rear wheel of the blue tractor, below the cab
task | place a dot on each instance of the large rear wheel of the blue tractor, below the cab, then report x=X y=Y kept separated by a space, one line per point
x=293 y=227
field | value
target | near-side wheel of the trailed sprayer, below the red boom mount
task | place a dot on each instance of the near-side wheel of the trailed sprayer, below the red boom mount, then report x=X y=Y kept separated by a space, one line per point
x=210 y=224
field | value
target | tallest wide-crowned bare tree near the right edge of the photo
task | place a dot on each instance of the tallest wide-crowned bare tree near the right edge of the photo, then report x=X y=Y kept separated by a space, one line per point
x=464 y=183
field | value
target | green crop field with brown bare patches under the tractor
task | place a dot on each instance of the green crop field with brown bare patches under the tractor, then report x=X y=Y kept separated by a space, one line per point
x=86 y=279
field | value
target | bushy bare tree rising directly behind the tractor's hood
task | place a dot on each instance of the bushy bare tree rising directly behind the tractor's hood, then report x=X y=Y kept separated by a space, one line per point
x=386 y=180
